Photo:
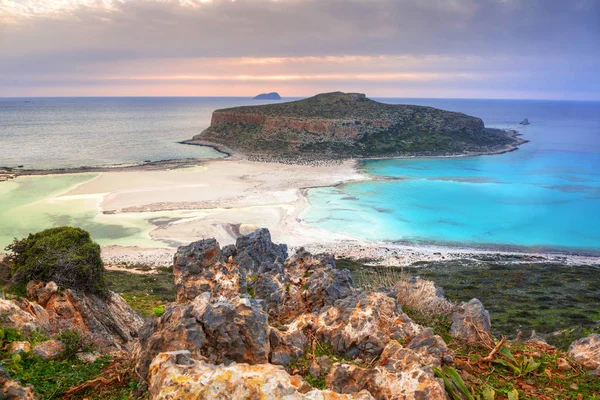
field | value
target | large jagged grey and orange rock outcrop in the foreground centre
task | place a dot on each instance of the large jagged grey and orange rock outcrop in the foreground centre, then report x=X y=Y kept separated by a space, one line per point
x=245 y=312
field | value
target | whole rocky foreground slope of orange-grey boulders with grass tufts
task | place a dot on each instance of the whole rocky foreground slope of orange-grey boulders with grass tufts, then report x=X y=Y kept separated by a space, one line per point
x=250 y=321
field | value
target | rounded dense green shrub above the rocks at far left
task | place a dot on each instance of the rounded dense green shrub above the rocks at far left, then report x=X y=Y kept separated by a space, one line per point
x=65 y=255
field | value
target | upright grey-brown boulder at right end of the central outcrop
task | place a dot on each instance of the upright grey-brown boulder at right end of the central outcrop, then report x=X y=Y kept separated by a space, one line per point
x=471 y=323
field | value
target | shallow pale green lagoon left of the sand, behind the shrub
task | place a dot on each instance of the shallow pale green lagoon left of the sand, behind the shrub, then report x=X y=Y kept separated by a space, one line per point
x=33 y=203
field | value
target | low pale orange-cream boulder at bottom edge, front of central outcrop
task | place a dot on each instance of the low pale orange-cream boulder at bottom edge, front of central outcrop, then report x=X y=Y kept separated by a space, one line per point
x=176 y=375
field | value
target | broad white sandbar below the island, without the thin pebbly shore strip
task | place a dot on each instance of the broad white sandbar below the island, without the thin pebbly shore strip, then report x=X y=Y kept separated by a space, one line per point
x=227 y=198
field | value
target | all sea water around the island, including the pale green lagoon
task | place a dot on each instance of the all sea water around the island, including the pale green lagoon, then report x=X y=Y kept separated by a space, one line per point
x=544 y=196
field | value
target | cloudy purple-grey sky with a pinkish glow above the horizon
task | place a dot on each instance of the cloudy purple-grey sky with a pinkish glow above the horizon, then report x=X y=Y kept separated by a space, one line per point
x=524 y=49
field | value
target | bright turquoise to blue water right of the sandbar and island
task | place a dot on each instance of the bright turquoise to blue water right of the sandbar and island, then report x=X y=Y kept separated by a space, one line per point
x=544 y=196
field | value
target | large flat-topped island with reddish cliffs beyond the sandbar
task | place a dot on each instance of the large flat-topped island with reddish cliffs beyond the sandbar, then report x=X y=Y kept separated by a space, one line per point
x=350 y=125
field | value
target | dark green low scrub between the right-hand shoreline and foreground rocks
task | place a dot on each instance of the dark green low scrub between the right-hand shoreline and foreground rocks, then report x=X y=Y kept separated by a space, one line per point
x=546 y=297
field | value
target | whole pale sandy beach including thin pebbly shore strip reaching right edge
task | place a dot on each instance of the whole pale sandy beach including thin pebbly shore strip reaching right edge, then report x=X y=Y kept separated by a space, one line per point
x=226 y=198
